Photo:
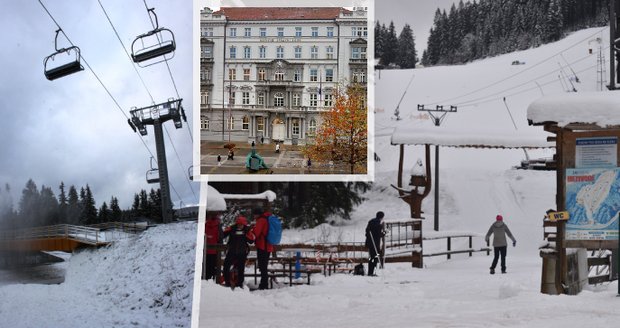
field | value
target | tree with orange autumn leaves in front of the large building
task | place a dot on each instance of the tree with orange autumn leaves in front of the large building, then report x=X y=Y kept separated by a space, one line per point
x=342 y=136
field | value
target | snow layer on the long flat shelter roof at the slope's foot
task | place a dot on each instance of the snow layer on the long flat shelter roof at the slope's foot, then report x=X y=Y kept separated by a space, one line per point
x=463 y=138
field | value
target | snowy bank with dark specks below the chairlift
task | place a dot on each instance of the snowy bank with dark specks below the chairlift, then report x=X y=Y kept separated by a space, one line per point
x=145 y=281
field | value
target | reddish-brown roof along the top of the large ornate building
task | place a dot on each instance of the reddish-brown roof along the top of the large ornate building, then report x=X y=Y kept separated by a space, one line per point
x=279 y=13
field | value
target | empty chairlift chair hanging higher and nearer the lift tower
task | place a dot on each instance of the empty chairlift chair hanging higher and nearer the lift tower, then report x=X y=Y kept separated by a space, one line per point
x=154 y=44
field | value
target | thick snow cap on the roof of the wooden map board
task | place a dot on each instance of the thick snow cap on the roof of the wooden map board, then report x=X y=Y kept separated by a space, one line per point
x=600 y=108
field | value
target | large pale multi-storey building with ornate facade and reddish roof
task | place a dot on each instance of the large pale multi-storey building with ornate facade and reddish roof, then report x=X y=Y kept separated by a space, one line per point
x=267 y=73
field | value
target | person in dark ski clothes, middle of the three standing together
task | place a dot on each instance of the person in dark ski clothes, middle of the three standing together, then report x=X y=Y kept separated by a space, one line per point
x=239 y=238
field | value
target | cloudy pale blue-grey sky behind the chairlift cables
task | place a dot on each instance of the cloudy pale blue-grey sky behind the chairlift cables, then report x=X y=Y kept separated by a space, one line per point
x=69 y=129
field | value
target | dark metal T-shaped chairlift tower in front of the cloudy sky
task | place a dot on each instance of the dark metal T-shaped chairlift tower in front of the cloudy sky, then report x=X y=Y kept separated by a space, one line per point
x=156 y=115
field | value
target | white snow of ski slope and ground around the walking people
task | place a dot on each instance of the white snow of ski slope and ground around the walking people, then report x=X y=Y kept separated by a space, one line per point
x=475 y=186
